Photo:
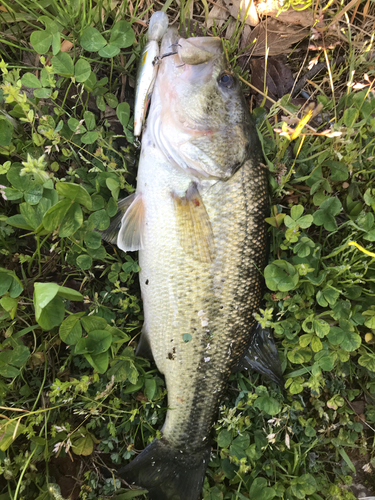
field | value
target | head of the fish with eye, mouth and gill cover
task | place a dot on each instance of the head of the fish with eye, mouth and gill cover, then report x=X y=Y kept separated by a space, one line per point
x=204 y=124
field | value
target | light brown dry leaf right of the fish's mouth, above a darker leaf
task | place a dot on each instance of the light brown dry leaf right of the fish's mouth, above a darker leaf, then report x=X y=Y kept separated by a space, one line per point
x=275 y=36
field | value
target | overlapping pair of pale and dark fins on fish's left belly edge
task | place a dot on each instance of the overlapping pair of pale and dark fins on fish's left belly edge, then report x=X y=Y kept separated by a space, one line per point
x=127 y=227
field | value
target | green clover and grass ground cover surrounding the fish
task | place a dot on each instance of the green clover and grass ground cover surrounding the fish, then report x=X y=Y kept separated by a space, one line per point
x=71 y=387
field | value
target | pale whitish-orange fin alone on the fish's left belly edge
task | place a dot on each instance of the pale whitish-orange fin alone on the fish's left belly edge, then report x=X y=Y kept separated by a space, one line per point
x=130 y=236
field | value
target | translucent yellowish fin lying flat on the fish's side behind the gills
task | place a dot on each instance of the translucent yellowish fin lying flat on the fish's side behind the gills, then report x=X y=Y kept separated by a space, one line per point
x=195 y=232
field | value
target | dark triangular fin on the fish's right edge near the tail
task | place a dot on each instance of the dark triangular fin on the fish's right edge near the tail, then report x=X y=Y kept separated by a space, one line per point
x=262 y=356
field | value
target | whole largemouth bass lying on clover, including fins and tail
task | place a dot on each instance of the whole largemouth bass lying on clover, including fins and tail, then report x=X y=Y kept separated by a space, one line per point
x=197 y=218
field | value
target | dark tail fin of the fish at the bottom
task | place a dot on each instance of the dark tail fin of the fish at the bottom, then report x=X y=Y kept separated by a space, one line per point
x=167 y=473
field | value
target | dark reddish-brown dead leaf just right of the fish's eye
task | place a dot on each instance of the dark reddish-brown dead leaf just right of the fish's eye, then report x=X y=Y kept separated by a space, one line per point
x=279 y=77
